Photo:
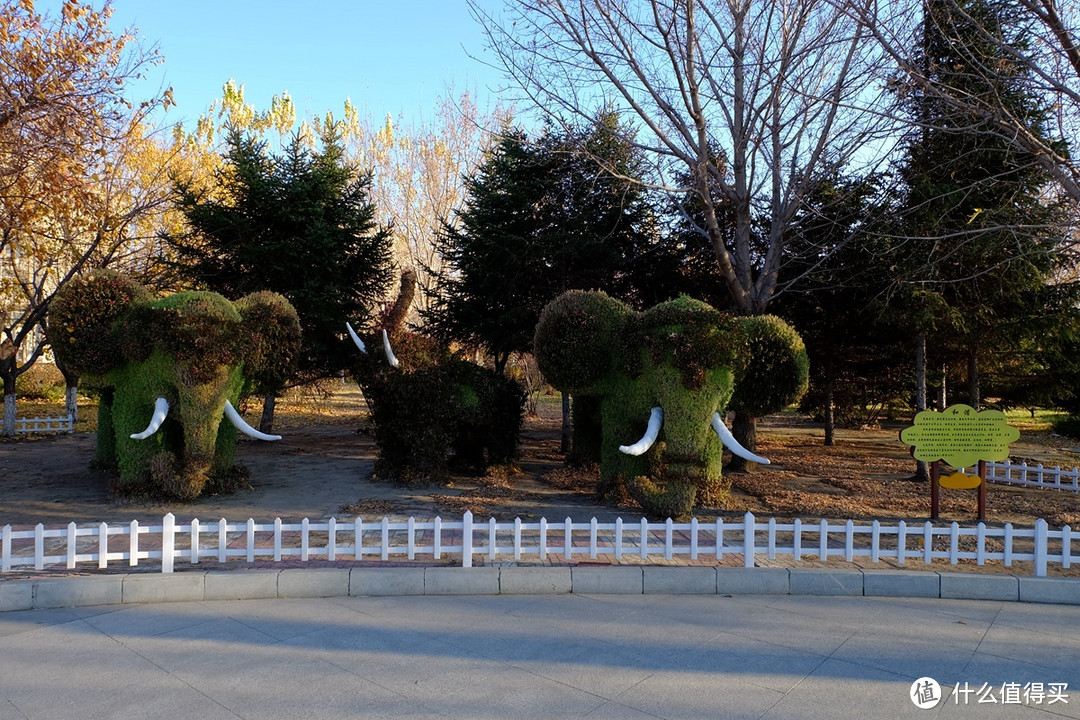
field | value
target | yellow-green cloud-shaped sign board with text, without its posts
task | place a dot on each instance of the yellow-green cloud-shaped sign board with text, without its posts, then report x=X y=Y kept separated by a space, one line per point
x=962 y=437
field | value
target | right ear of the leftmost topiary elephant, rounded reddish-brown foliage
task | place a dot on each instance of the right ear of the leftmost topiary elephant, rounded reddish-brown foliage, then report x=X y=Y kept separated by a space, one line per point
x=271 y=330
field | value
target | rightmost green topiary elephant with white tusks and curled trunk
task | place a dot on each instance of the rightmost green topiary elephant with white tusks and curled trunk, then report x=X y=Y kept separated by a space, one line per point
x=668 y=375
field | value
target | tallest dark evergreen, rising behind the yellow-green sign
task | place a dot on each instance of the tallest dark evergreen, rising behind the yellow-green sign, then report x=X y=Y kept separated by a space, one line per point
x=976 y=229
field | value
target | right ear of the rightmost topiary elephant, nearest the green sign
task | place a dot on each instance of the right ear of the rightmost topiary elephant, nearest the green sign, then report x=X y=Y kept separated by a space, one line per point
x=776 y=371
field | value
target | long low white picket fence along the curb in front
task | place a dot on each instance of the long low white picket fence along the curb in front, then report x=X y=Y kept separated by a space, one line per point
x=637 y=542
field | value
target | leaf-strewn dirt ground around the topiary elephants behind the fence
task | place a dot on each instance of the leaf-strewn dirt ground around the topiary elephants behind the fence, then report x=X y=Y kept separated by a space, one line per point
x=323 y=466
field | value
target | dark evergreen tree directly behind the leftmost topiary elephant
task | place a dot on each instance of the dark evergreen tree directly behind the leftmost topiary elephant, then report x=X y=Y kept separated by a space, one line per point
x=300 y=224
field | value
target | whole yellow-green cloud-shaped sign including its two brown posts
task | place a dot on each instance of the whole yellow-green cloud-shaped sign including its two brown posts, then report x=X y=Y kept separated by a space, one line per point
x=962 y=437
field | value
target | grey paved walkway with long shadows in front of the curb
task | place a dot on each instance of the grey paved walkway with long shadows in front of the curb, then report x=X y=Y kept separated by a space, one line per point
x=598 y=657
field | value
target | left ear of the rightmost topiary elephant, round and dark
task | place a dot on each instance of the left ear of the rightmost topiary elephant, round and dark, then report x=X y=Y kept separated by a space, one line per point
x=578 y=339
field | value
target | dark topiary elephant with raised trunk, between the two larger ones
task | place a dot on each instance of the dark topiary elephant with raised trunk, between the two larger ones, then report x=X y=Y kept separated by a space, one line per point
x=431 y=410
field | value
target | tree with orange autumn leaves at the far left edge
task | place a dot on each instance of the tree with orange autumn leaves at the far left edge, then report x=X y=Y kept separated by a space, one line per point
x=69 y=138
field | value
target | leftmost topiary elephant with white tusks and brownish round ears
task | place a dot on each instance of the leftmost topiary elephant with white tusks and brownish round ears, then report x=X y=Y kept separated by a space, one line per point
x=179 y=363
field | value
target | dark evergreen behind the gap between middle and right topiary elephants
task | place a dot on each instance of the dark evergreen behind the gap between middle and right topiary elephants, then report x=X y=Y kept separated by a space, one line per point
x=542 y=216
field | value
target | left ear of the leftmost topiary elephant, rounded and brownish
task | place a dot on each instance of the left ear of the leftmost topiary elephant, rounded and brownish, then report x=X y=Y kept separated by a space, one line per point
x=83 y=317
